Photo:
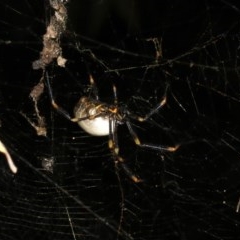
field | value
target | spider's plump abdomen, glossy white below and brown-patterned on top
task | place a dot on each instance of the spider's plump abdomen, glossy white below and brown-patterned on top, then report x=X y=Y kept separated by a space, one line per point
x=96 y=122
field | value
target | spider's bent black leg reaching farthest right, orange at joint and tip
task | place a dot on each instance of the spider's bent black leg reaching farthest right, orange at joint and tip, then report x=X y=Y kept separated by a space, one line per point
x=150 y=146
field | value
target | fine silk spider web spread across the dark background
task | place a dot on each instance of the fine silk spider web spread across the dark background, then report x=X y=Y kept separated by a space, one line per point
x=67 y=185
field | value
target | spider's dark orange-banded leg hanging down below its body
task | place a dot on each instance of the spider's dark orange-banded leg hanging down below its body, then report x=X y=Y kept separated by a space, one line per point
x=113 y=146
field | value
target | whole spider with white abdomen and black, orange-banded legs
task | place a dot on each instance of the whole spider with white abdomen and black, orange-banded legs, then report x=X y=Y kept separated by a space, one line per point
x=101 y=119
